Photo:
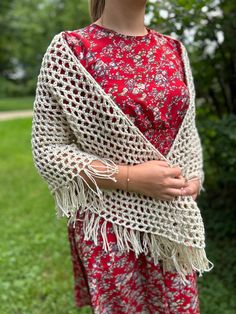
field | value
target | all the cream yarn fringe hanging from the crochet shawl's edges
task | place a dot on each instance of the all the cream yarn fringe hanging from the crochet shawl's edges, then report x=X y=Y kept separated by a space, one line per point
x=72 y=199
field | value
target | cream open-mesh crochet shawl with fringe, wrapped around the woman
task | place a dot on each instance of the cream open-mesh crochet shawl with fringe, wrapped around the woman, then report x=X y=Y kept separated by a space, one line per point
x=76 y=122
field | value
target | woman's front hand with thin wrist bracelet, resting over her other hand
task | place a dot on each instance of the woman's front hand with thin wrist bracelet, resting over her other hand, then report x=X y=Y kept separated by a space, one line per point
x=157 y=179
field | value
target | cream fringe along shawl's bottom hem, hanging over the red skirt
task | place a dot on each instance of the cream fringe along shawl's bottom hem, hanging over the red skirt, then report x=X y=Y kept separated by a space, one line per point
x=173 y=256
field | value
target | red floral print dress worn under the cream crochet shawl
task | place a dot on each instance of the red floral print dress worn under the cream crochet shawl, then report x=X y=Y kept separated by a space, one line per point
x=145 y=76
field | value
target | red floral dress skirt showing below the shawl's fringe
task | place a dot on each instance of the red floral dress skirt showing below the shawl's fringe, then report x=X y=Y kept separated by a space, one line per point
x=119 y=283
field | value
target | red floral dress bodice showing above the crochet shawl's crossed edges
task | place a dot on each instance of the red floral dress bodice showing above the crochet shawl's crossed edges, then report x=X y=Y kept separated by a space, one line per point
x=144 y=76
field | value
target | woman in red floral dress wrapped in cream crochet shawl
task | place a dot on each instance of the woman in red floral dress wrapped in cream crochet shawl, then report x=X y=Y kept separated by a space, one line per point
x=122 y=267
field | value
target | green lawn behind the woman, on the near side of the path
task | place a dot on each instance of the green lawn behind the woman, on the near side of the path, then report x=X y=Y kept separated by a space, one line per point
x=35 y=265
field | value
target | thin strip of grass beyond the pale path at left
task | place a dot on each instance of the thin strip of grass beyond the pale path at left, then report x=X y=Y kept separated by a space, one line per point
x=16 y=103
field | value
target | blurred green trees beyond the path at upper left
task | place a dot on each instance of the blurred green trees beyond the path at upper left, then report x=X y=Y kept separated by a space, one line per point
x=29 y=26
